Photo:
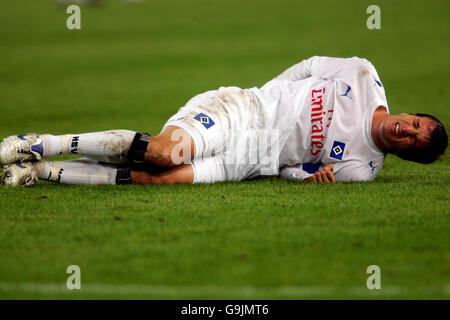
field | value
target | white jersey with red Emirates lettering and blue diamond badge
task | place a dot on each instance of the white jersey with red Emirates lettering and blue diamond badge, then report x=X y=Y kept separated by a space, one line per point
x=332 y=101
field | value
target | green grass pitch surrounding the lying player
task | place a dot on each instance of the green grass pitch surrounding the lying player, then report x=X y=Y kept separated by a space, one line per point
x=132 y=66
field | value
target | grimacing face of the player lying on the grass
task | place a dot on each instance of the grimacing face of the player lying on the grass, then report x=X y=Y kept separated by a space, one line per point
x=405 y=131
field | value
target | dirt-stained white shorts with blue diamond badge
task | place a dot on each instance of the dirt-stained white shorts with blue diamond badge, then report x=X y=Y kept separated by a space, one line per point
x=225 y=125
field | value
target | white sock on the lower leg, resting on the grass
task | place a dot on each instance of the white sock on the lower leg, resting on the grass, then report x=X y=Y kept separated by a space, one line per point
x=81 y=171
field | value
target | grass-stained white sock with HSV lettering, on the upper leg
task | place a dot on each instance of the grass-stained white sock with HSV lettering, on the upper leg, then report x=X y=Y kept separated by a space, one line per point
x=104 y=145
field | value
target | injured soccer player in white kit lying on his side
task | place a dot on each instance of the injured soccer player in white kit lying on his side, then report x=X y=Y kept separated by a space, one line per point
x=323 y=120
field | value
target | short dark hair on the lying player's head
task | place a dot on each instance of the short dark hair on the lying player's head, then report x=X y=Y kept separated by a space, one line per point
x=434 y=148
